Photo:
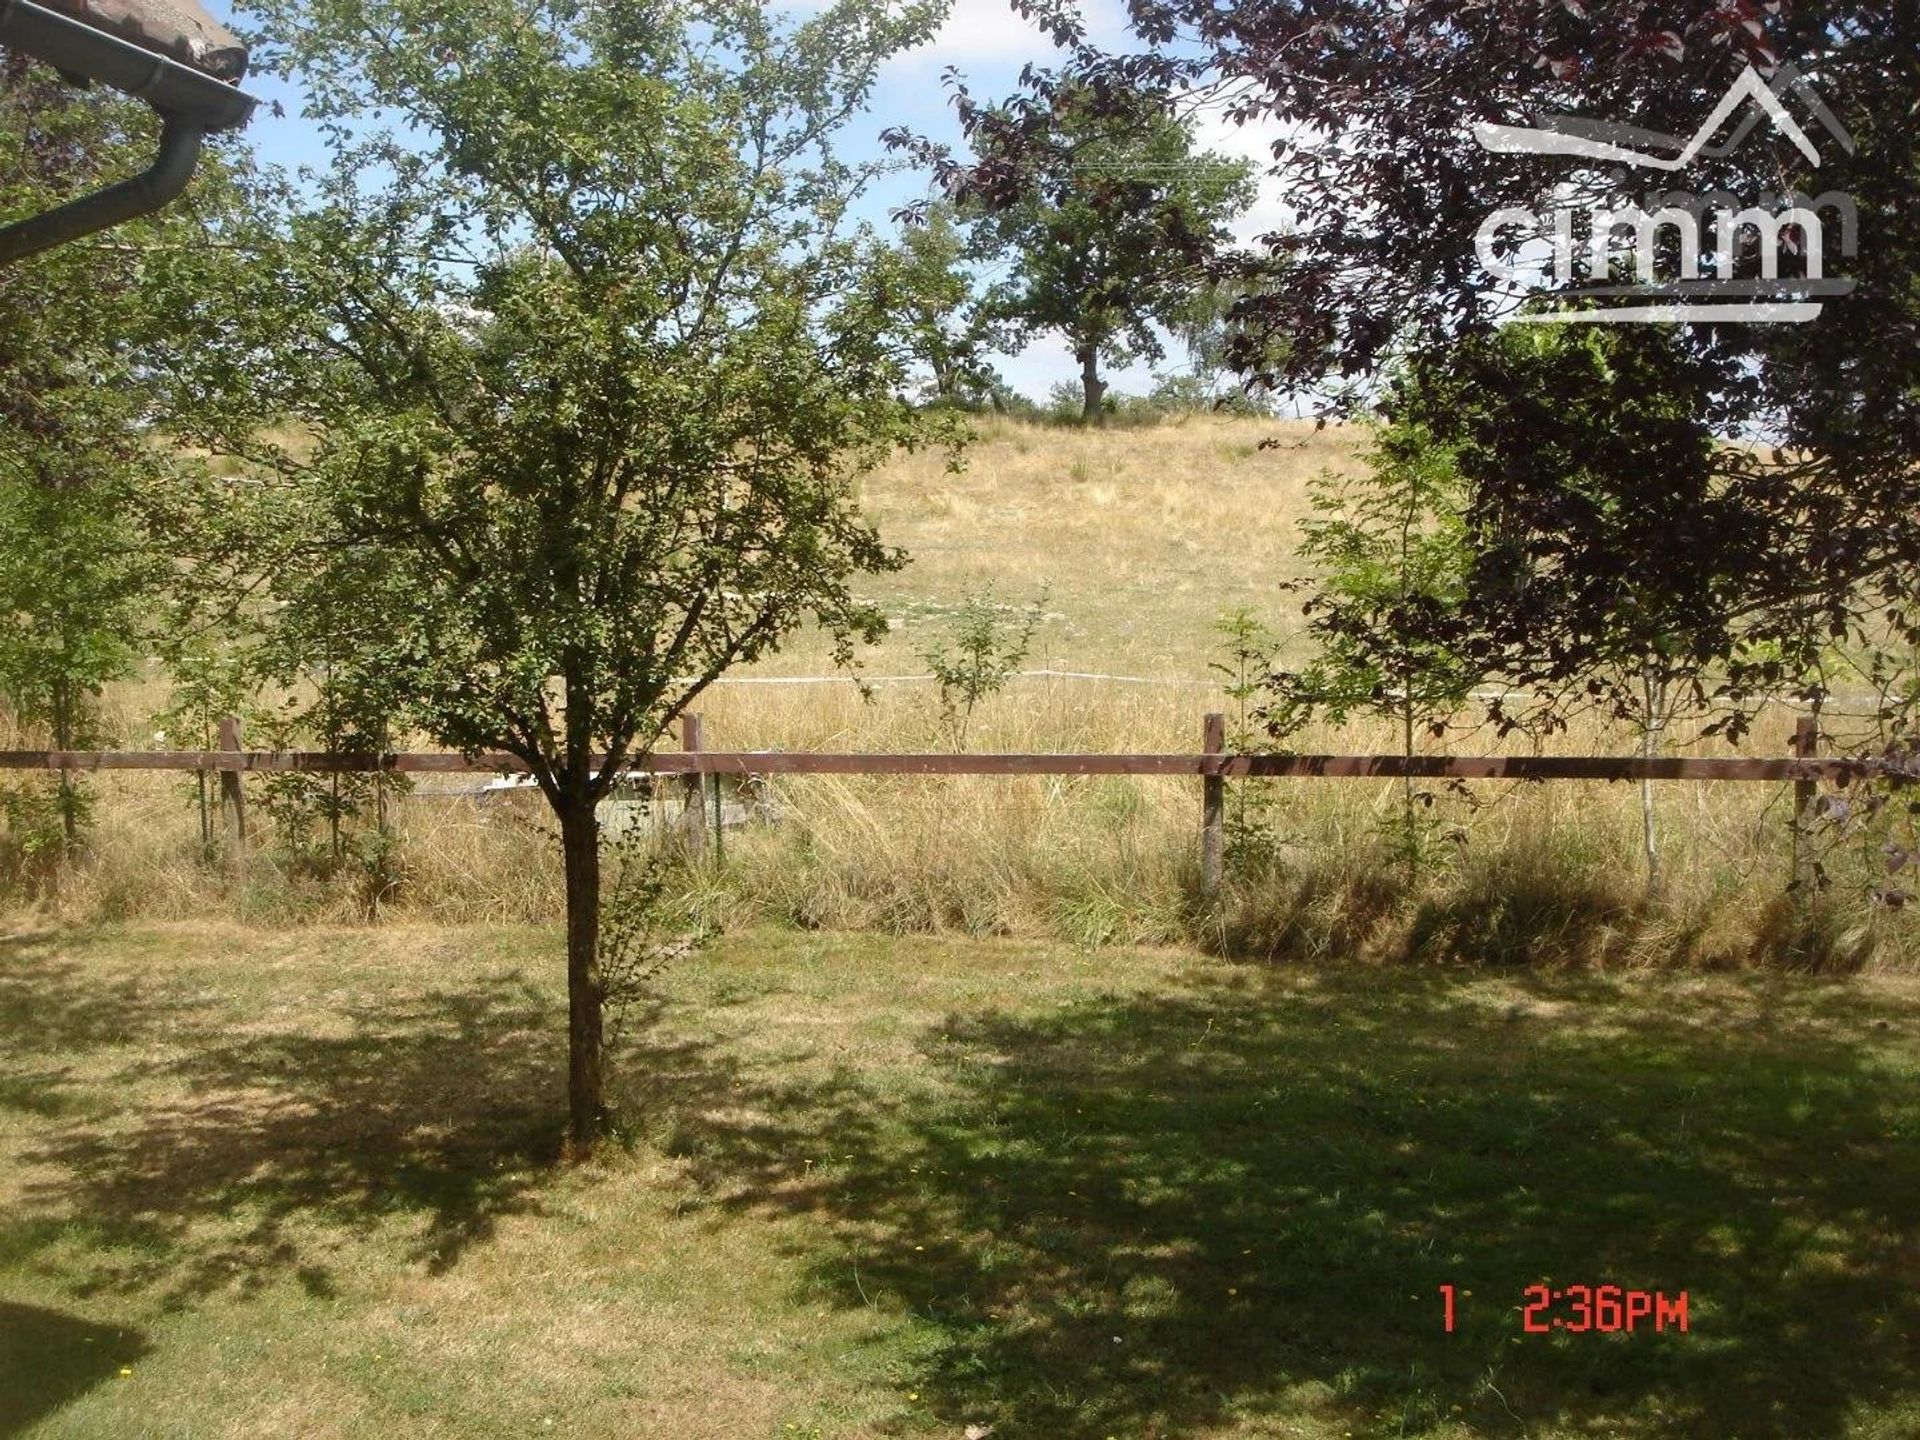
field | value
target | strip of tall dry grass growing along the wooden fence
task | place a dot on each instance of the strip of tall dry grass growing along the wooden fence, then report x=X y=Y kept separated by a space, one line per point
x=1531 y=875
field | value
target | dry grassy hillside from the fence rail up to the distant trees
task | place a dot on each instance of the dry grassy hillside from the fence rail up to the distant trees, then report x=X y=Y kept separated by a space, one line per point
x=1140 y=539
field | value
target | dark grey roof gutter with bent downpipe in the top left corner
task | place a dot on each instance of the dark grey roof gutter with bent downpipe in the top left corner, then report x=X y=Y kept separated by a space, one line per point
x=191 y=105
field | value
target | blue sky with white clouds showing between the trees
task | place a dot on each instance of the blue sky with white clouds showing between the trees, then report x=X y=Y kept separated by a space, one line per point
x=986 y=41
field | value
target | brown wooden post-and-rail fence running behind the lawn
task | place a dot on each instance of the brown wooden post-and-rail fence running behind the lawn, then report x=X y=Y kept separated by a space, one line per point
x=1212 y=765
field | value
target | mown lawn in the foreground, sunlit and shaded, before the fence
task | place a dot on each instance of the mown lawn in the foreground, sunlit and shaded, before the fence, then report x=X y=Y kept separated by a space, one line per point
x=302 y=1186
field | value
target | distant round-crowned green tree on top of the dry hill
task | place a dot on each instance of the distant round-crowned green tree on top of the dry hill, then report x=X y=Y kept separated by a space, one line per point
x=1111 y=231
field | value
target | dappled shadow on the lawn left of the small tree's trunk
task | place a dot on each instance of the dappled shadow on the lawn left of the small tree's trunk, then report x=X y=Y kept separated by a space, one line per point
x=433 y=1111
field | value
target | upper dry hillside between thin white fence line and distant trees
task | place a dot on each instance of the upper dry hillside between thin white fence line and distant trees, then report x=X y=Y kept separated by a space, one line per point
x=1141 y=537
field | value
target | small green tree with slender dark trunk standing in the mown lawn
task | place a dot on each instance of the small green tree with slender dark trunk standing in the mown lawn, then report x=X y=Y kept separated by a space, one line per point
x=583 y=370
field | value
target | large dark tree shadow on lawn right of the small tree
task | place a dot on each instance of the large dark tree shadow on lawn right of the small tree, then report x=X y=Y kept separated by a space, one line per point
x=1149 y=1216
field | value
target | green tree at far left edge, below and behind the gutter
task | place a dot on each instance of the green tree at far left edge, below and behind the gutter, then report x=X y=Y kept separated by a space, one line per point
x=80 y=571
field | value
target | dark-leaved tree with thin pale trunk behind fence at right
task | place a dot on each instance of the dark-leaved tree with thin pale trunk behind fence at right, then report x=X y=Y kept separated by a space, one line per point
x=1589 y=587
